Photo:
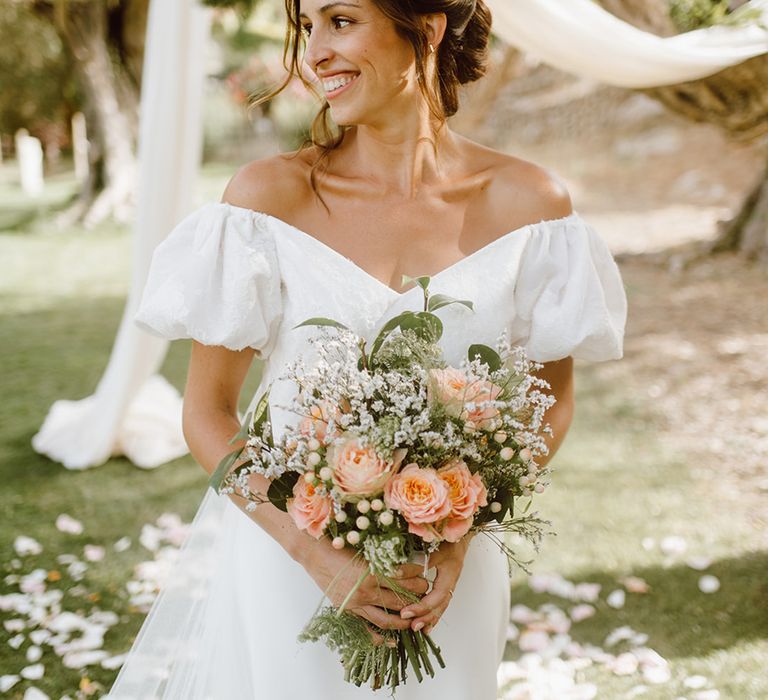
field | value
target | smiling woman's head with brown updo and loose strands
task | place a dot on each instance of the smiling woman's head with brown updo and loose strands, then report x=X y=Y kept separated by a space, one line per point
x=387 y=38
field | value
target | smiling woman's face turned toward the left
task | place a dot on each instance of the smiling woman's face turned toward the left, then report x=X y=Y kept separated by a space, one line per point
x=366 y=70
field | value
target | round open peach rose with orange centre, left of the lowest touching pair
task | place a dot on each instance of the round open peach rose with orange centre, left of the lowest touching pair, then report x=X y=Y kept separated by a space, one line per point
x=422 y=498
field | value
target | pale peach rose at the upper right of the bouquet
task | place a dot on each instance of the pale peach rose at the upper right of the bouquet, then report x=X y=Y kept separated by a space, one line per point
x=452 y=388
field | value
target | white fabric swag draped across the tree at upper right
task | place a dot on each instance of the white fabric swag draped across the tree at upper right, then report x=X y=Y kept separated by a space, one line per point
x=579 y=36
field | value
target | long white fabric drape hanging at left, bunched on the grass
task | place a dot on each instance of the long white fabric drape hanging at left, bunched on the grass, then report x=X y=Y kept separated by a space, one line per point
x=133 y=411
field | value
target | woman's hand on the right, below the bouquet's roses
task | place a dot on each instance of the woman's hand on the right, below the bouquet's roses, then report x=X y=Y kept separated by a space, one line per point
x=449 y=561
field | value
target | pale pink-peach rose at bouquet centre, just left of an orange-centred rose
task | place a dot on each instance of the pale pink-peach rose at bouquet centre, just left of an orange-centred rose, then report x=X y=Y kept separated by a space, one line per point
x=358 y=470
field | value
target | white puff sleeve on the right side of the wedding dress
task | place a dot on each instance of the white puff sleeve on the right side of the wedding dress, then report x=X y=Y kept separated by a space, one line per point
x=569 y=295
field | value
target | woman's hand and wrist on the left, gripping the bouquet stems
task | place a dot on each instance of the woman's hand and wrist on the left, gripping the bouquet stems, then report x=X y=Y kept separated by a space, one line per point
x=324 y=564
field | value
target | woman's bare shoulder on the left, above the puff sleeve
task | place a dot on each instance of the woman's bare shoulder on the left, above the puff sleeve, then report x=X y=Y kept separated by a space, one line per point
x=273 y=185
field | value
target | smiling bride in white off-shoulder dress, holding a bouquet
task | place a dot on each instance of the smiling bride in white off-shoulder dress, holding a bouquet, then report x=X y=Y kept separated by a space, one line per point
x=329 y=231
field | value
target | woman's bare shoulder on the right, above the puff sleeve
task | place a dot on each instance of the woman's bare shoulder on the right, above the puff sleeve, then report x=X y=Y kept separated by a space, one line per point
x=520 y=192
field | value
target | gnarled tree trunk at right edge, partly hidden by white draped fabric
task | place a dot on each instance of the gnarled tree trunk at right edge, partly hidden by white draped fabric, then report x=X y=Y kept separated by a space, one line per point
x=735 y=99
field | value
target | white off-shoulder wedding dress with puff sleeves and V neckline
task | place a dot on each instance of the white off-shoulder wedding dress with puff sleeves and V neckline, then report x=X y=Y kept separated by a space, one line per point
x=225 y=625
